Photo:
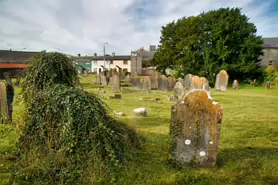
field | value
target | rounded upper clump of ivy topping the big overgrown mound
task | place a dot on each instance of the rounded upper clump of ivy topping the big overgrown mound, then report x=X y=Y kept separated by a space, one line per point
x=47 y=69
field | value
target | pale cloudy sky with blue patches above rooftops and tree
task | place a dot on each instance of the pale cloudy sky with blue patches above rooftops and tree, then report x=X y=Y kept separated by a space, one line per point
x=83 y=26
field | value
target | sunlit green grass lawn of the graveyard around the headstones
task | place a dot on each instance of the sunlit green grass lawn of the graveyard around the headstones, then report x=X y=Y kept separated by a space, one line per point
x=248 y=148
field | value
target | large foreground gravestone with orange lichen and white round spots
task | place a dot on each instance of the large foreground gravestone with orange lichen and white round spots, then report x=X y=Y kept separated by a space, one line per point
x=195 y=129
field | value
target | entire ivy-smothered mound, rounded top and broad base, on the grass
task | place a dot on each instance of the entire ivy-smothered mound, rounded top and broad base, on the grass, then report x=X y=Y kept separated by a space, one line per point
x=69 y=135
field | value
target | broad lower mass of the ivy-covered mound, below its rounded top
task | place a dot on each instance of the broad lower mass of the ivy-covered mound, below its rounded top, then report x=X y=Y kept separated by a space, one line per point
x=69 y=124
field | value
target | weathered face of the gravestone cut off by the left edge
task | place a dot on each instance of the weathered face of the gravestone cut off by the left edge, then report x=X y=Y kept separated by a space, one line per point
x=3 y=101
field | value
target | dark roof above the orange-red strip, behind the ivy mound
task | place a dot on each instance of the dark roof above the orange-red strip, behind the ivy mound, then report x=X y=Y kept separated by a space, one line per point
x=7 y=56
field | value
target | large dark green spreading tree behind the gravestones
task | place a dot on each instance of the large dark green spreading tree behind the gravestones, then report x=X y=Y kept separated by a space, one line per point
x=212 y=41
